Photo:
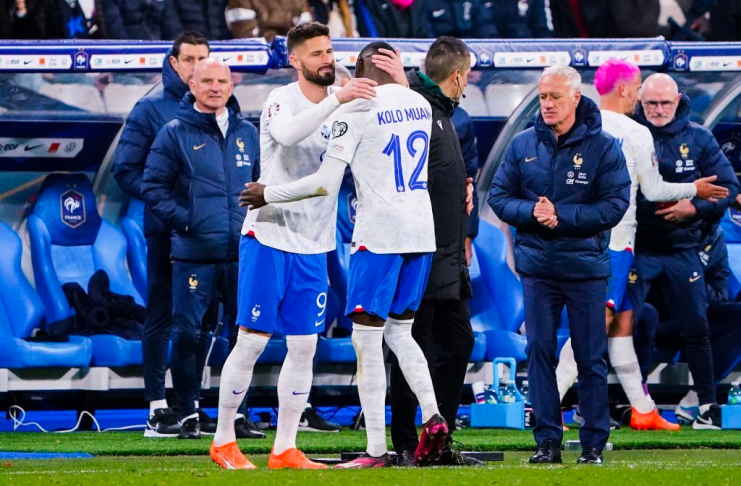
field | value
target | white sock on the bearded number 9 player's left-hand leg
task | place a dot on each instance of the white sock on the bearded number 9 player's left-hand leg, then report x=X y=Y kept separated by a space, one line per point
x=235 y=379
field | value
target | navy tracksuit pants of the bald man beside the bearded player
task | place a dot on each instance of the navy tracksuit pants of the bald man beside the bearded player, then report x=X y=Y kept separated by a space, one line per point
x=195 y=288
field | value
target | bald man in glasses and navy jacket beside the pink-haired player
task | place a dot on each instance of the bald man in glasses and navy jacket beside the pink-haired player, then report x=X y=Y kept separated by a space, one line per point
x=668 y=238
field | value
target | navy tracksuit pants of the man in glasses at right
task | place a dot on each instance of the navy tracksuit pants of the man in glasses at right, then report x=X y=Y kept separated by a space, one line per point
x=681 y=275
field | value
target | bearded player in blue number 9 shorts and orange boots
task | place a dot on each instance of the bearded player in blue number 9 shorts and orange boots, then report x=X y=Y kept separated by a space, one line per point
x=282 y=256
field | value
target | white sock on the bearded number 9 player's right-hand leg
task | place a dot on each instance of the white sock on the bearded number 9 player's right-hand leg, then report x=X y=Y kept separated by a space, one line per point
x=294 y=385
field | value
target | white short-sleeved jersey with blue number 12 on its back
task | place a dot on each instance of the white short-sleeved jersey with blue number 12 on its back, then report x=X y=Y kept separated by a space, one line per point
x=385 y=141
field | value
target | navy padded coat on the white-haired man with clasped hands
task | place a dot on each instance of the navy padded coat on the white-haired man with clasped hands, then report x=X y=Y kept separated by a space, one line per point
x=587 y=180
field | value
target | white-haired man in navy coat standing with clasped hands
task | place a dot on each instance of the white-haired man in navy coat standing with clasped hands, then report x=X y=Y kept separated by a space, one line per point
x=564 y=184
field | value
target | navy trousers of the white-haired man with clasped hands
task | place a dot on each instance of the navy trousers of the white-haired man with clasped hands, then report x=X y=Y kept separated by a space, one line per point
x=585 y=306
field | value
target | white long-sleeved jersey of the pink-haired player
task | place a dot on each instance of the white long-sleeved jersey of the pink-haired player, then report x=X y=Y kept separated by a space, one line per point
x=640 y=156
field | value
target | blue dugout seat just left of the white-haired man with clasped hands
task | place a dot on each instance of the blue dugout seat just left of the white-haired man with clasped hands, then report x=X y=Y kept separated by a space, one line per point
x=497 y=307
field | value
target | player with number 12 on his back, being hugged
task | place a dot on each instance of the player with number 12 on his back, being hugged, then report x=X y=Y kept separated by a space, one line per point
x=385 y=143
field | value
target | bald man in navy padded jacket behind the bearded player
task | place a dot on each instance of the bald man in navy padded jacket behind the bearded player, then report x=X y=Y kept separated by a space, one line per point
x=198 y=165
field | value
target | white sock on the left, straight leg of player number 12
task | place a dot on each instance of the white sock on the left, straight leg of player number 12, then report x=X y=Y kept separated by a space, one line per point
x=368 y=344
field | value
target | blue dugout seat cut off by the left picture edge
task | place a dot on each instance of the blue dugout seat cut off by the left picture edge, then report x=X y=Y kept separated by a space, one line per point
x=21 y=311
